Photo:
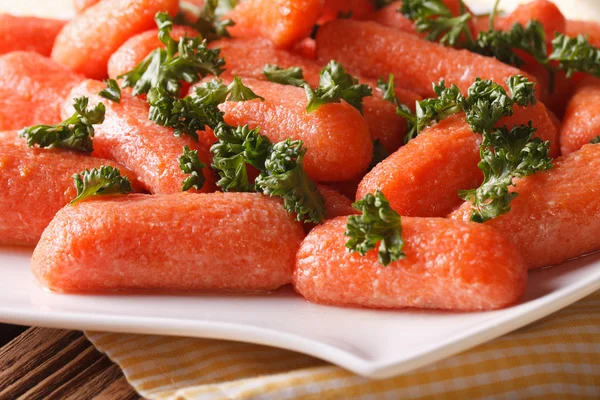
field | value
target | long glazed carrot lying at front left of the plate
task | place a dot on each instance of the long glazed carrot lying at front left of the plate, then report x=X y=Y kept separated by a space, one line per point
x=226 y=241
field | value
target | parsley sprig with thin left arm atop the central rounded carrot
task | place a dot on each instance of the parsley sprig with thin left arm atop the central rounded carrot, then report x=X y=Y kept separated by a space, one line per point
x=335 y=84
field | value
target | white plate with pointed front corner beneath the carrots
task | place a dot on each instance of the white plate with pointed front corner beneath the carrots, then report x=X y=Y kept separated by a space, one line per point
x=372 y=343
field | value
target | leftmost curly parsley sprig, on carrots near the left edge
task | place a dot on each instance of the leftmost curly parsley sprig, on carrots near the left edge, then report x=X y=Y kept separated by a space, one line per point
x=74 y=133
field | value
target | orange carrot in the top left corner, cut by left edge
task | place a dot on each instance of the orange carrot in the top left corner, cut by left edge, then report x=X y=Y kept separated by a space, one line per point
x=28 y=33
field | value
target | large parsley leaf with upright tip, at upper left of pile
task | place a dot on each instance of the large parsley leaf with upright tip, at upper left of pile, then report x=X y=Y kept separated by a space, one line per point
x=188 y=60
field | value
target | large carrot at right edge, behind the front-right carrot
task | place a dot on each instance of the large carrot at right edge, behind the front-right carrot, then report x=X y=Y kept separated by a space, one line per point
x=555 y=216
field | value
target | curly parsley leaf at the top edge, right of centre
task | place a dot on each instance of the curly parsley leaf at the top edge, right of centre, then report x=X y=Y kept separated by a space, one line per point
x=435 y=19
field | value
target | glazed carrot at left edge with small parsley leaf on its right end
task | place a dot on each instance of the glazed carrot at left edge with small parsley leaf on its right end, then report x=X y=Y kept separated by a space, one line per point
x=36 y=183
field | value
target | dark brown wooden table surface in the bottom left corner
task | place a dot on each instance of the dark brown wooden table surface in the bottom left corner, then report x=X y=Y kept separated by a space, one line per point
x=41 y=363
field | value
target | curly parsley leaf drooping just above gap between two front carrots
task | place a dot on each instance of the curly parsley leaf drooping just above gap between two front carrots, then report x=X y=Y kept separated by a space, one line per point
x=284 y=177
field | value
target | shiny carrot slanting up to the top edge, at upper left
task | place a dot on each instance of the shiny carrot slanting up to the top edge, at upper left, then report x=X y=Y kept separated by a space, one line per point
x=86 y=42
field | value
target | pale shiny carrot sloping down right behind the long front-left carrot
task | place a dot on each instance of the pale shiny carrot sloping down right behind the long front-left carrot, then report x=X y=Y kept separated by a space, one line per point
x=151 y=151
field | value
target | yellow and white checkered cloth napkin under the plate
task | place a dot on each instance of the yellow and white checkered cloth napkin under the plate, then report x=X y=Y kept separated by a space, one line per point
x=555 y=358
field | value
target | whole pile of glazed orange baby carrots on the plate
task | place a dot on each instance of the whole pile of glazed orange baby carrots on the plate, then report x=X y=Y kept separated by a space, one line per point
x=162 y=238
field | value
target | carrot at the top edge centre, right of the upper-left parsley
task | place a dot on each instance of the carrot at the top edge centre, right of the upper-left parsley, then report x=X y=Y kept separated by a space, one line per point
x=283 y=22
